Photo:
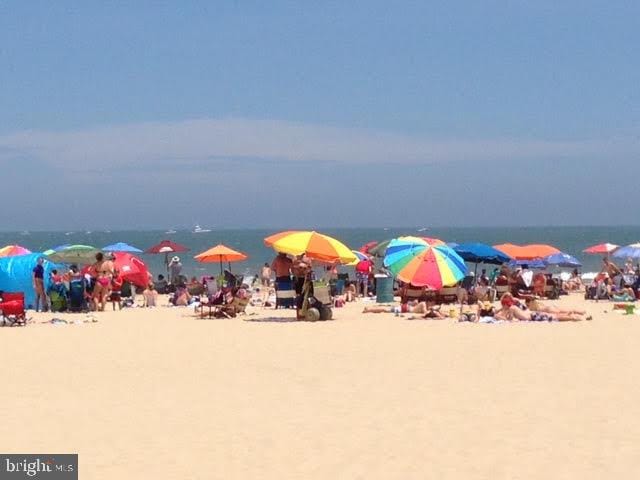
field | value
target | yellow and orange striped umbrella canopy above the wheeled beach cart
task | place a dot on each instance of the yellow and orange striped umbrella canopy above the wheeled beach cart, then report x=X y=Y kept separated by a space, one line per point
x=315 y=245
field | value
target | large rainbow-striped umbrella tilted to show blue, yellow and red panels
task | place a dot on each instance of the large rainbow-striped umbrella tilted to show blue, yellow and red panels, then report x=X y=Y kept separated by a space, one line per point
x=424 y=262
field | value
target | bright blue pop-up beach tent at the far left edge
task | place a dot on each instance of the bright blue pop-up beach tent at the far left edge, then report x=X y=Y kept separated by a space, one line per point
x=16 y=275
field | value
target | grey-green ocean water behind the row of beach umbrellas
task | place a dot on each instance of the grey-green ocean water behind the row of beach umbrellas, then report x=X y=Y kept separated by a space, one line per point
x=571 y=240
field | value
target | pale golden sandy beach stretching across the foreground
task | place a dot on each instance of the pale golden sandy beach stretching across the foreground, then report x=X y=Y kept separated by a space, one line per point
x=157 y=393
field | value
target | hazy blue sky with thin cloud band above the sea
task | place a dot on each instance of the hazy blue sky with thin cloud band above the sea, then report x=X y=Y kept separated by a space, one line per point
x=282 y=114
